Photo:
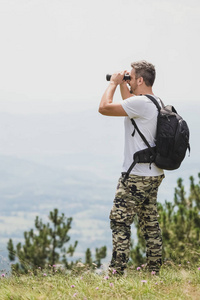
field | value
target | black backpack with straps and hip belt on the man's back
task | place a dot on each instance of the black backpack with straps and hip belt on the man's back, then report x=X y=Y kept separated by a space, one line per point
x=172 y=140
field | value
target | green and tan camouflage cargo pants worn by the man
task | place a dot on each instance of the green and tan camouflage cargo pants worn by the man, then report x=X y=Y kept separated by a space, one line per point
x=138 y=196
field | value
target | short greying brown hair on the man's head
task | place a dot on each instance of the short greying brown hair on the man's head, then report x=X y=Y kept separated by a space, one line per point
x=146 y=70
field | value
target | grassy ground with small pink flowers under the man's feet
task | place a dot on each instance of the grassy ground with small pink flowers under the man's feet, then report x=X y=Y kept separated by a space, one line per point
x=174 y=282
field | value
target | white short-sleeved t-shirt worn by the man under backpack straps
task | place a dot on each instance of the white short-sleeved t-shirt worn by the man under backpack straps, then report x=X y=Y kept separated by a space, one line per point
x=145 y=113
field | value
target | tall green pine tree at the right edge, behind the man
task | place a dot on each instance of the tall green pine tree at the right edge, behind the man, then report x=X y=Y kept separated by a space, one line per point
x=180 y=223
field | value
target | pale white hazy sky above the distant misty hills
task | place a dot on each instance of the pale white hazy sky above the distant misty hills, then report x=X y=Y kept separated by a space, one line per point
x=54 y=54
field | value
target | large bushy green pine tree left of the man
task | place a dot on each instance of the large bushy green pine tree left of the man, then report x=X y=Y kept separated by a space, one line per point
x=43 y=245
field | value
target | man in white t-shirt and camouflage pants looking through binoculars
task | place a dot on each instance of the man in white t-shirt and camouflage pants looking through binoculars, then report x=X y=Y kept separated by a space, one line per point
x=139 y=193
